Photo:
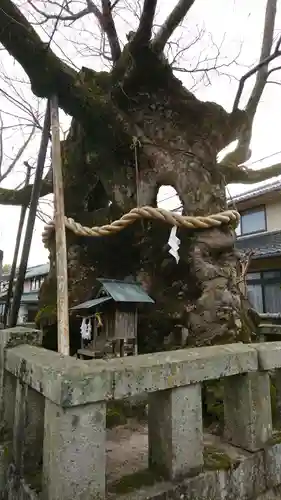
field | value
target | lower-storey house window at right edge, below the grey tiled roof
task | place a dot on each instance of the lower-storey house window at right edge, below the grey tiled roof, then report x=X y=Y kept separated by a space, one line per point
x=264 y=291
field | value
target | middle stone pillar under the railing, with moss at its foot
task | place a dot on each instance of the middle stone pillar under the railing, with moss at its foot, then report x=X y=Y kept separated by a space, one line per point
x=175 y=431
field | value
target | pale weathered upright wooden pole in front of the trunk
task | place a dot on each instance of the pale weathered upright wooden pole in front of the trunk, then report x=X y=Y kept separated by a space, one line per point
x=61 y=254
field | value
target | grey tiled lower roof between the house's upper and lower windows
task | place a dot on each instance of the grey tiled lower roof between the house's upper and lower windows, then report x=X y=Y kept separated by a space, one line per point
x=263 y=244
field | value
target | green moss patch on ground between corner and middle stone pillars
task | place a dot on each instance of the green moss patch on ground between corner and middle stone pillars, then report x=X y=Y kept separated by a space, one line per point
x=135 y=481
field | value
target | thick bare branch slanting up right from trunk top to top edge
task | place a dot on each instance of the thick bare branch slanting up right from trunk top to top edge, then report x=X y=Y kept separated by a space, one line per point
x=172 y=22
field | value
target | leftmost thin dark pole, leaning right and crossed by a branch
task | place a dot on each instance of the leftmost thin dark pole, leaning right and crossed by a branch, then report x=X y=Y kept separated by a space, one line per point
x=16 y=251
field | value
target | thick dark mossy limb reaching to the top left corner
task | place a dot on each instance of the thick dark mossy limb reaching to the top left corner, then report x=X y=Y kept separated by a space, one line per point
x=47 y=73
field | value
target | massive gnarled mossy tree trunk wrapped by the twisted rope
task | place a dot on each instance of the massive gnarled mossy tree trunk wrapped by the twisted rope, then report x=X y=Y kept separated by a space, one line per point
x=180 y=138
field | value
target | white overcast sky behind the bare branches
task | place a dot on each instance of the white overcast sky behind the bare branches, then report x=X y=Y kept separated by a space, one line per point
x=235 y=25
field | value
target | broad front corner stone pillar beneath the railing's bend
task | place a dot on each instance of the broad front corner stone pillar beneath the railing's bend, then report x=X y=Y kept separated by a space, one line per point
x=74 y=458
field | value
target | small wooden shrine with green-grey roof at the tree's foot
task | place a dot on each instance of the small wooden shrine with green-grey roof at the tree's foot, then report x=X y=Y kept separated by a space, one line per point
x=109 y=321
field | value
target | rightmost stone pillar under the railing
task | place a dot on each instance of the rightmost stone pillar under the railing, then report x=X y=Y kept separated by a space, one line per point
x=247 y=409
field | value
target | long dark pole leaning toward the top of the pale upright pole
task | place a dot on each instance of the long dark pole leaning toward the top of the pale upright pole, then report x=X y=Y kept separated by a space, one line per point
x=35 y=195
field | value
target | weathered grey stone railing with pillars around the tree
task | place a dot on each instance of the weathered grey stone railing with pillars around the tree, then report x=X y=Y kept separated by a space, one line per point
x=53 y=411
